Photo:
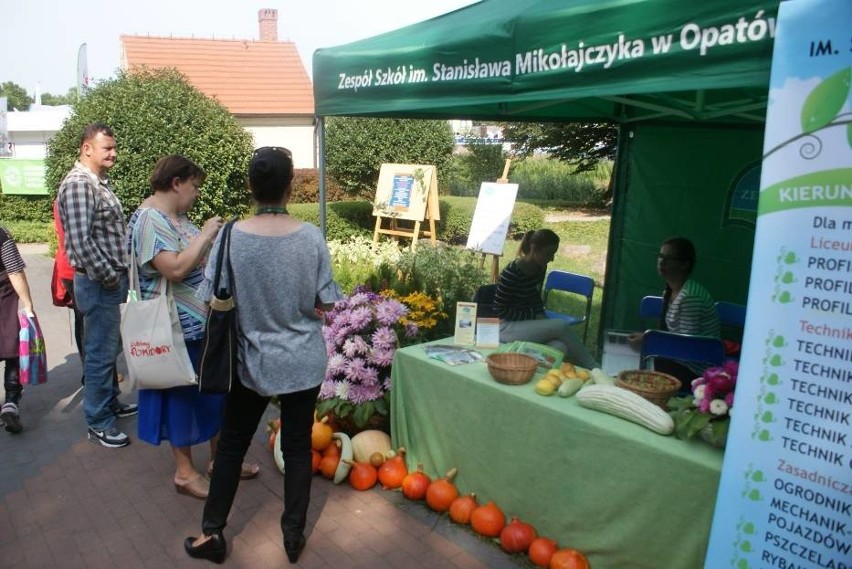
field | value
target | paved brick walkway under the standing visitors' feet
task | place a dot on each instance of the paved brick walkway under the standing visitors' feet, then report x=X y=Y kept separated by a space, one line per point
x=68 y=503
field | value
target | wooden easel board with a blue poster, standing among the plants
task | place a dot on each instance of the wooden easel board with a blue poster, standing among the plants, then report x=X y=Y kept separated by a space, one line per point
x=406 y=193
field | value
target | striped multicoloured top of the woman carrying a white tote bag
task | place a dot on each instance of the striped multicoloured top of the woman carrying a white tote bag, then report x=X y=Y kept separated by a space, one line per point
x=152 y=232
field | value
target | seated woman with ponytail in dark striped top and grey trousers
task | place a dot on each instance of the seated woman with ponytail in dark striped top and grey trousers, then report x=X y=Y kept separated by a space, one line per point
x=518 y=301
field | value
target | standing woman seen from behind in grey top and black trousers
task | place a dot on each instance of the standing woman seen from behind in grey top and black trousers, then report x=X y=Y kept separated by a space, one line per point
x=282 y=275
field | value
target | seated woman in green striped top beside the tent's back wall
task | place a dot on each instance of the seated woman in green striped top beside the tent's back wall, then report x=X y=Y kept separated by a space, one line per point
x=687 y=306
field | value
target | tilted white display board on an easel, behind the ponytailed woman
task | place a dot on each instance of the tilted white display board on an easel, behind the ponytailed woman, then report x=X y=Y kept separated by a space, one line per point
x=492 y=216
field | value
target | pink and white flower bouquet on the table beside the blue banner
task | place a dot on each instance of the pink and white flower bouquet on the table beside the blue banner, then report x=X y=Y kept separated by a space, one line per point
x=707 y=411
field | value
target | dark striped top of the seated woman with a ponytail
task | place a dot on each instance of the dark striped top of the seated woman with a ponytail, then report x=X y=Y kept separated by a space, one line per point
x=518 y=295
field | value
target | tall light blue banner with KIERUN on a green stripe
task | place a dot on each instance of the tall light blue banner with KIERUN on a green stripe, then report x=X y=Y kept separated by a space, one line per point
x=785 y=497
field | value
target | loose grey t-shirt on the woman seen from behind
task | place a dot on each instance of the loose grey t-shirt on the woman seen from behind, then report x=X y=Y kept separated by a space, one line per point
x=278 y=282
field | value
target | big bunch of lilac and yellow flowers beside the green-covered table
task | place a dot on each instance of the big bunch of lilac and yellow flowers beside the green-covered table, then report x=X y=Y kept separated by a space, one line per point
x=361 y=334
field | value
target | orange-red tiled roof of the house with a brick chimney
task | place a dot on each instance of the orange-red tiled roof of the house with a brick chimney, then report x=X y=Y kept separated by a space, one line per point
x=248 y=77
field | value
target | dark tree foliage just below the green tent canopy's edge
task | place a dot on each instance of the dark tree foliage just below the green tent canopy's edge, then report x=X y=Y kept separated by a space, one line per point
x=581 y=144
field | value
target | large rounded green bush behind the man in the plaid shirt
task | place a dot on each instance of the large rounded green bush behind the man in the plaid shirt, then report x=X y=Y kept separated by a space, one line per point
x=154 y=113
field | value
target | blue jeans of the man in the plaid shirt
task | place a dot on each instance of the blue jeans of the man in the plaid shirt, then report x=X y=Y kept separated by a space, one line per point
x=102 y=319
